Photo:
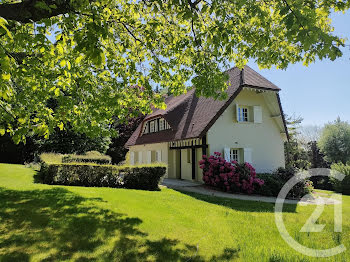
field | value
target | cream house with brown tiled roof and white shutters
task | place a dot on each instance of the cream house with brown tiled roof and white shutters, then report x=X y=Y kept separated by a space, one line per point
x=248 y=126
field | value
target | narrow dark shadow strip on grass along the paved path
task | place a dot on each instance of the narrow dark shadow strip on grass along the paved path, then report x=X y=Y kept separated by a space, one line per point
x=240 y=205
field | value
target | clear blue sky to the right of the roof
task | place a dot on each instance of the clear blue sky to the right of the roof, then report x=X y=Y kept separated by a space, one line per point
x=320 y=92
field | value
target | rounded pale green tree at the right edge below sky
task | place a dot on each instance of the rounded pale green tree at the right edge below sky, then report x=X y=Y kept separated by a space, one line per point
x=335 y=141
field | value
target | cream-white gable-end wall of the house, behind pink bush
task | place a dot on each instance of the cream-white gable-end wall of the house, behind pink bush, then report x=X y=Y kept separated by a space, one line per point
x=265 y=139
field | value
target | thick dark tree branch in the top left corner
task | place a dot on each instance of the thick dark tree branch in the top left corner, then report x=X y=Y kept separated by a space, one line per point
x=29 y=11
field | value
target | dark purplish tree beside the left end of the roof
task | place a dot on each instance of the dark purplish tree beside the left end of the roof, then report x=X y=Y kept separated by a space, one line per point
x=116 y=149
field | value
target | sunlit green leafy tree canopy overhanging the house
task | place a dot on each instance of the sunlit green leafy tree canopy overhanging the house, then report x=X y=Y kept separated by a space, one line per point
x=89 y=55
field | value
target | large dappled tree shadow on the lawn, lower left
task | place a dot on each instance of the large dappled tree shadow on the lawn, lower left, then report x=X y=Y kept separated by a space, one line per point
x=56 y=224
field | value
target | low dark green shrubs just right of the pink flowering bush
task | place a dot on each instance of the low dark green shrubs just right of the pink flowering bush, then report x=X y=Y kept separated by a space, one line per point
x=276 y=180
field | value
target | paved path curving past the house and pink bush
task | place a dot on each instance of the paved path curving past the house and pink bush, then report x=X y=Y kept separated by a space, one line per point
x=196 y=187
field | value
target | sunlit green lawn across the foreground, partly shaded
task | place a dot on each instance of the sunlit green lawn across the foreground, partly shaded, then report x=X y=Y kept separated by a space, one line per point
x=50 y=223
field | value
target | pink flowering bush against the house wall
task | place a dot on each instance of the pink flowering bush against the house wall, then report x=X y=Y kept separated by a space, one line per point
x=229 y=176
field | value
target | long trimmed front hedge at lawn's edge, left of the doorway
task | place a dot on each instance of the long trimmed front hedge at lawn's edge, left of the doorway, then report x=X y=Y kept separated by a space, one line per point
x=145 y=177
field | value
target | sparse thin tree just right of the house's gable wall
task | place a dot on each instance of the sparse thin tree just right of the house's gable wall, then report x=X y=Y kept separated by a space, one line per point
x=296 y=155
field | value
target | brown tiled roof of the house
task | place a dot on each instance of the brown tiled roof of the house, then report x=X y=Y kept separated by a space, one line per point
x=190 y=116
